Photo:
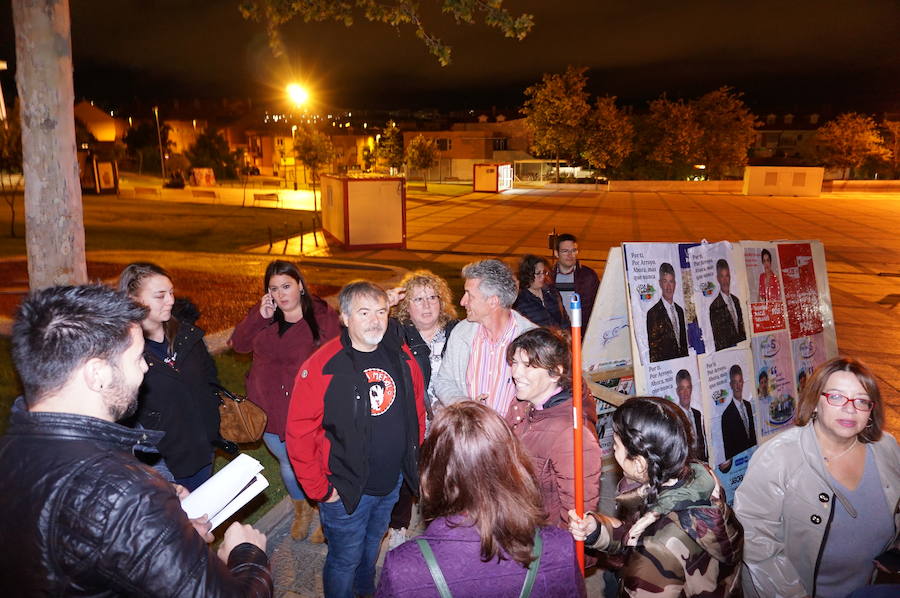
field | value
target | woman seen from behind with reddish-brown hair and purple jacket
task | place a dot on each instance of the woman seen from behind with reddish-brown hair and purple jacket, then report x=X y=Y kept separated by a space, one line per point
x=488 y=535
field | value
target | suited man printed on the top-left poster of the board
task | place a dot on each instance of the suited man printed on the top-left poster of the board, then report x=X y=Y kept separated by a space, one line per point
x=666 y=332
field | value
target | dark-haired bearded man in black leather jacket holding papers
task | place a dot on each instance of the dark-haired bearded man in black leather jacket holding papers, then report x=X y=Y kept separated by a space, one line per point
x=80 y=514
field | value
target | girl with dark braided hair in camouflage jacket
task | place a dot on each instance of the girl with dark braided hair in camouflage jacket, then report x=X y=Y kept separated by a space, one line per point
x=677 y=535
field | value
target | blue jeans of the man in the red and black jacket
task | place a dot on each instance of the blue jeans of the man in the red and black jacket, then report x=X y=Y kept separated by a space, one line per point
x=353 y=543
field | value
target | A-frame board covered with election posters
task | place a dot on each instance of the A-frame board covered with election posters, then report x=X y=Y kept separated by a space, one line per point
x=663 y=327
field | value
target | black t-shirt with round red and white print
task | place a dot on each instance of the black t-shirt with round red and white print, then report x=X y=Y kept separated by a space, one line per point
x=387 y=428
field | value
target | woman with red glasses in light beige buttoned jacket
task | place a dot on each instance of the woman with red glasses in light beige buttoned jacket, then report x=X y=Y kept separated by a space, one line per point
x=819 y=502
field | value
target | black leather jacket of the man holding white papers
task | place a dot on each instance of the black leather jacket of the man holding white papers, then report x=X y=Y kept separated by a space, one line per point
x=81 y=516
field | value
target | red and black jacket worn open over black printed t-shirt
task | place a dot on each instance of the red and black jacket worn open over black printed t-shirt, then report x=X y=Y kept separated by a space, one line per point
x=328 y=422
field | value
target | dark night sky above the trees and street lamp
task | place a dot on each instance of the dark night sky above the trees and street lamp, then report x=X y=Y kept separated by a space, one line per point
x=783 y=54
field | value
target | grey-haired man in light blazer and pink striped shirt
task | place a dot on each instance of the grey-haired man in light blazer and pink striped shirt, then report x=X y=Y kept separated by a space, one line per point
x=474 y=365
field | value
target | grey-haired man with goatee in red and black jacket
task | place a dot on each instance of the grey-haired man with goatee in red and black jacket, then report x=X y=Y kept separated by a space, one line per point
x=355 y=424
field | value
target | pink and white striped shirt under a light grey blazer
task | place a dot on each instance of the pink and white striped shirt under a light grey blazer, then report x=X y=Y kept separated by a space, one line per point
x=488 y=373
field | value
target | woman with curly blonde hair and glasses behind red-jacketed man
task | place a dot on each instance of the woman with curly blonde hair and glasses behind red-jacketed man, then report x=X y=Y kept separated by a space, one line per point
x=424 y=316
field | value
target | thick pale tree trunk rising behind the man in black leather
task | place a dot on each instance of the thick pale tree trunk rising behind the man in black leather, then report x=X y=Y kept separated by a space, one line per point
x=54 y=225
